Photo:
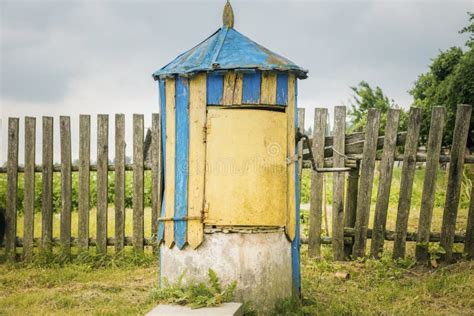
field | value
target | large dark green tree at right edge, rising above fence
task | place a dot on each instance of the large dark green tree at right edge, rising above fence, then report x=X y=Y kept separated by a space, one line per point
x=449 y=82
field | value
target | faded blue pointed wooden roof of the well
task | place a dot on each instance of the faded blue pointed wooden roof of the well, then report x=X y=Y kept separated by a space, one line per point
x=228 y=49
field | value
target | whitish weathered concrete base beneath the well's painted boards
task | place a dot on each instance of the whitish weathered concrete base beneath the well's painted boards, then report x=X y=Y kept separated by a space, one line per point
x=259 y=262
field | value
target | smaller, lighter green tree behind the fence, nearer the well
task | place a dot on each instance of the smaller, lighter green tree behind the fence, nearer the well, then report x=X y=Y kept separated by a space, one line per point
x=365 y=98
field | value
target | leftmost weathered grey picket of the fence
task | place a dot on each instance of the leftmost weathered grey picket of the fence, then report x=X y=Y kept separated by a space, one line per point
x=12 y=183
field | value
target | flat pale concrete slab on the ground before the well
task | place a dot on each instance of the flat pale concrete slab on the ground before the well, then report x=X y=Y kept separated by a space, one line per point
x=226 y=309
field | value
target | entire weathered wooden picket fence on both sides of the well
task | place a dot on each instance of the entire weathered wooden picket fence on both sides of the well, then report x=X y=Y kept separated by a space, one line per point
x=351 y=206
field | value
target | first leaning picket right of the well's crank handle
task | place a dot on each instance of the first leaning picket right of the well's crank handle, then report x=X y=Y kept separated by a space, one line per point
x=367 y=167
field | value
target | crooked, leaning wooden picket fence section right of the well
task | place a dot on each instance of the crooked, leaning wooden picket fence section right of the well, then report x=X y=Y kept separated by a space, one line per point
x=360 y=151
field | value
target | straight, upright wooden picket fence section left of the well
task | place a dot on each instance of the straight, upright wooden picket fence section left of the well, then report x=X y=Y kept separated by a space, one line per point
x=84 y=168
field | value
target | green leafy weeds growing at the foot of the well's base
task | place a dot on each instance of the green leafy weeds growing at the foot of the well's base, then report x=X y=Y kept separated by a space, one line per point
x=195 y=294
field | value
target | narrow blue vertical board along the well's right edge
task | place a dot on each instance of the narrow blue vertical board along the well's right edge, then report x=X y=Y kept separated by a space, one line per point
x=295 y=244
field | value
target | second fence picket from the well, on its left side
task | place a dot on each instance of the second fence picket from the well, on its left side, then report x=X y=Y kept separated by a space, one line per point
x=138 y=228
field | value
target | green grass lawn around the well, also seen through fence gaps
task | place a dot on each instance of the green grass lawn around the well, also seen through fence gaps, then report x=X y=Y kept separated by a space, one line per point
x=122 y=285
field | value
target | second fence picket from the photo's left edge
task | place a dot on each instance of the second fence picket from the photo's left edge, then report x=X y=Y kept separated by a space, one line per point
x=29 y=188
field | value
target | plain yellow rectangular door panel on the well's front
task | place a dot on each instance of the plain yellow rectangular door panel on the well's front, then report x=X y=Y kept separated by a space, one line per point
x=246 y=172
